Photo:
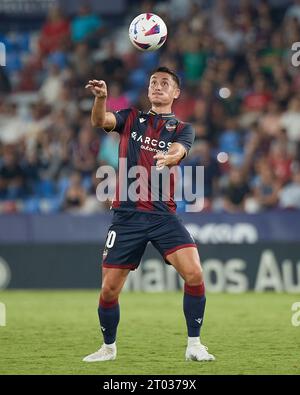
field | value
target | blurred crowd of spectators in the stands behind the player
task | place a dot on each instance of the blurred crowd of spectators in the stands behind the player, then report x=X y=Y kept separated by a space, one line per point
x=240 y=91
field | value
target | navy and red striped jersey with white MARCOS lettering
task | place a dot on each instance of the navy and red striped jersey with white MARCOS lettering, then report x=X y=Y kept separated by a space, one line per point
x=142 y=135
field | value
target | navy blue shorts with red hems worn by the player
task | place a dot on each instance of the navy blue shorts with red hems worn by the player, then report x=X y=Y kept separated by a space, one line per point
x=130 y=232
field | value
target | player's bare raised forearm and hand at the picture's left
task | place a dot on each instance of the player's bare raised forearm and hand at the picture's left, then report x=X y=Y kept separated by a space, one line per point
x=100 y=117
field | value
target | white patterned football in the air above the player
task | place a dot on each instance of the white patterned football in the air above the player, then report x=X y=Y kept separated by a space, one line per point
x=148 y=32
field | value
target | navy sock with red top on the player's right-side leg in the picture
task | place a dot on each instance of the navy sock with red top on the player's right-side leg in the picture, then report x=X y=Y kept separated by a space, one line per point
x=193 y=306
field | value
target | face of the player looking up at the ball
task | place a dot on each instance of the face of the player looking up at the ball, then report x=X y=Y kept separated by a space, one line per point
x=162 y=89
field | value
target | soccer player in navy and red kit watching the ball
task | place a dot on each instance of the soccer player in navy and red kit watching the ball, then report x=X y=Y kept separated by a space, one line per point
x=154 y=140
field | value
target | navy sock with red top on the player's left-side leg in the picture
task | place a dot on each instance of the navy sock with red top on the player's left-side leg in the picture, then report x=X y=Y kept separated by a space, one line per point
x=109 y=317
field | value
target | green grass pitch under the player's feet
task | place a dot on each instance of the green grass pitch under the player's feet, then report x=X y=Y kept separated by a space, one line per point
x=48 y=332
